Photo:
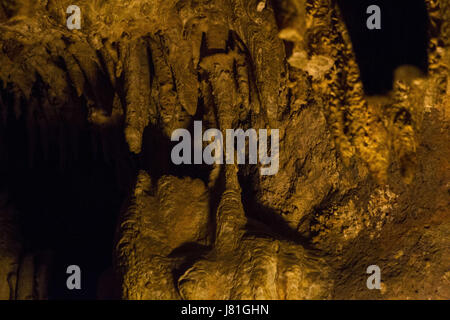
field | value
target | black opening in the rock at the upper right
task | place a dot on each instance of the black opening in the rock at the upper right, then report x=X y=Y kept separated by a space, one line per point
x=402 y=39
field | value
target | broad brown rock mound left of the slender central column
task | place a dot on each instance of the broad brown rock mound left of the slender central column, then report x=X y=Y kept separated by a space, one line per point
x=147 y=225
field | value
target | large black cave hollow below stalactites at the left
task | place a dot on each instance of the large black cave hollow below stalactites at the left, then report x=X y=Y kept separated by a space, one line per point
x=68 y=201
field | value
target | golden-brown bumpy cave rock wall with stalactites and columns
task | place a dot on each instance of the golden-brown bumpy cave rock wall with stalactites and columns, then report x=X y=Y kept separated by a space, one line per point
x=362 y=180
